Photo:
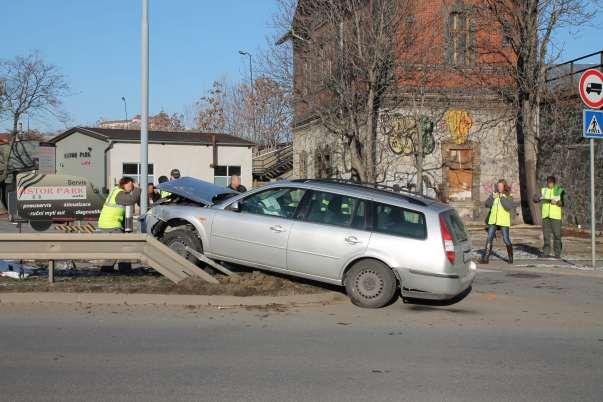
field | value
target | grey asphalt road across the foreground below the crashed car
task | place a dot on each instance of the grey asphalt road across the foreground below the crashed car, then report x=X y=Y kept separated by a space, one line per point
x=534 y=337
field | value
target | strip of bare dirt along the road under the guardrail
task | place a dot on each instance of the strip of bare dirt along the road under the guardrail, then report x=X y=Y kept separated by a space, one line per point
x=141 y=281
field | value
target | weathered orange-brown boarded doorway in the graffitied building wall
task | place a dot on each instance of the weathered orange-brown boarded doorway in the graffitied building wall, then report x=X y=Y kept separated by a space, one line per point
x=460 y=174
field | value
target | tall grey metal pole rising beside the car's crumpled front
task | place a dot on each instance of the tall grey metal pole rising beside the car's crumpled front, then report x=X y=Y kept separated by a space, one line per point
x=144 y=112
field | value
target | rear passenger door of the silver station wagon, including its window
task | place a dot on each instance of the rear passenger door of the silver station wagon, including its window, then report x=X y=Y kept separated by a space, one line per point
x=329 y=231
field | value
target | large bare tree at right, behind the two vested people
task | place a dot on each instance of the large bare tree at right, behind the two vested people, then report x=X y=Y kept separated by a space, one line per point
x=528 y=27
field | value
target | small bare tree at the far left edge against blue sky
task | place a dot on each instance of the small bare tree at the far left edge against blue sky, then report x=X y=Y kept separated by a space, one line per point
x=33 y=87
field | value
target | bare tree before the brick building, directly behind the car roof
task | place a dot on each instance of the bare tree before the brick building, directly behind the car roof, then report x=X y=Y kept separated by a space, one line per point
x=348 y=60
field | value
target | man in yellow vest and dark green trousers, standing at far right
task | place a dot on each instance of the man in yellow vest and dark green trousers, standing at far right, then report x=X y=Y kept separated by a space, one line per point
x=552 y=199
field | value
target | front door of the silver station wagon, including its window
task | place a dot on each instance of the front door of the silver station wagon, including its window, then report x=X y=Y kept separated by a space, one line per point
x=256 y=233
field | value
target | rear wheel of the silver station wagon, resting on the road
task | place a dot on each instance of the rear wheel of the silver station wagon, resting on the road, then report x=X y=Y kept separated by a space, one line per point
x=370 y=284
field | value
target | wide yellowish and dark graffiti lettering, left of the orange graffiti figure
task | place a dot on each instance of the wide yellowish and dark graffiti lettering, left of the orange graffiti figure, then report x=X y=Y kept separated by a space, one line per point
x=402 y=131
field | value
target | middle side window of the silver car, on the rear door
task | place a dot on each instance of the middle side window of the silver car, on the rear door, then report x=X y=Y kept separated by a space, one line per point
x=336 y=209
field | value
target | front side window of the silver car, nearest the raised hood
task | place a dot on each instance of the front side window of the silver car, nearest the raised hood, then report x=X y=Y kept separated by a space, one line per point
x=281 y=202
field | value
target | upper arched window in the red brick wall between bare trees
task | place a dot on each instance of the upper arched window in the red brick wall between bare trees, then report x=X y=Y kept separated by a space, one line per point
x=461 y=38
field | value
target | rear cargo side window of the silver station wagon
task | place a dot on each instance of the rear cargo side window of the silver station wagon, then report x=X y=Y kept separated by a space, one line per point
x=399 y=221
